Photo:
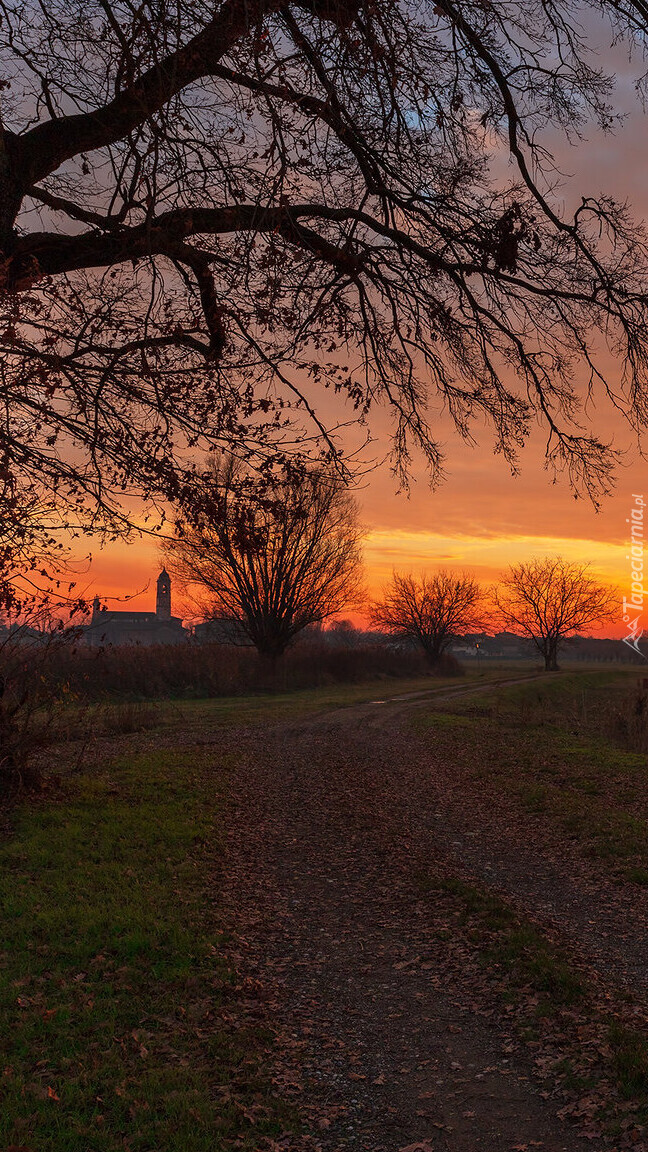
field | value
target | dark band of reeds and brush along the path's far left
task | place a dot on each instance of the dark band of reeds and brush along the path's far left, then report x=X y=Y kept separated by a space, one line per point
x=55 y=693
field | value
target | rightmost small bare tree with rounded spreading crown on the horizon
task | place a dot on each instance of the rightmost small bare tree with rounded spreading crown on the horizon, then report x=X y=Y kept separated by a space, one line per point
x=549 y=601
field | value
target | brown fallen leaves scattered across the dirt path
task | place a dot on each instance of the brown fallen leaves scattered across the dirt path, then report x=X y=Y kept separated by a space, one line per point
x=381 y=996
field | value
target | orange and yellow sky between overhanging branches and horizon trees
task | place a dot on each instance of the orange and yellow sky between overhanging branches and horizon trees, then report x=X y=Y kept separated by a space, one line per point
x=480 y=520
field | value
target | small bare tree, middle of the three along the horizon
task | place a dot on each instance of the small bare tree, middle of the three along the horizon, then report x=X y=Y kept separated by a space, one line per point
x=432 y=610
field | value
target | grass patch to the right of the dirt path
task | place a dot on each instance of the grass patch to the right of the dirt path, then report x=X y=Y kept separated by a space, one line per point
x=548 y=749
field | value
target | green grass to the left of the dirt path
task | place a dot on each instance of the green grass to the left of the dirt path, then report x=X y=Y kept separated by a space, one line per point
x=111 y=972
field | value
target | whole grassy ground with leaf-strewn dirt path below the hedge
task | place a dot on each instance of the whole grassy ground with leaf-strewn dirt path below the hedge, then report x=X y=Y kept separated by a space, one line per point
x=385 y=916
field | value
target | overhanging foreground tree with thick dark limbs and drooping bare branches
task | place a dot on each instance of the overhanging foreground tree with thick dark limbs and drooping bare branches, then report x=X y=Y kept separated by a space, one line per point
x=210 y=213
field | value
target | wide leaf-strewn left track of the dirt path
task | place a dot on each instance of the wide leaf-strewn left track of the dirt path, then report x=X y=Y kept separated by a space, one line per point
x=386 y=1045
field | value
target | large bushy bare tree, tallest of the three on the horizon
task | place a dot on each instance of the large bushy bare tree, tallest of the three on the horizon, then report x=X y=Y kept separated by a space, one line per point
x=274 y=562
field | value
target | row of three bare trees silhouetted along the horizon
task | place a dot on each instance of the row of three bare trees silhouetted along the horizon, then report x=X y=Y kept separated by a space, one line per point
x=276 y=562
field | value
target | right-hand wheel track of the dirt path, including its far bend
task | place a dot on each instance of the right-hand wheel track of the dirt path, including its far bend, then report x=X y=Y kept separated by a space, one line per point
x=606 y=920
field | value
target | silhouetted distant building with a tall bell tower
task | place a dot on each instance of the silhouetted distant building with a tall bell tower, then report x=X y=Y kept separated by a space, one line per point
x=145 y=628
